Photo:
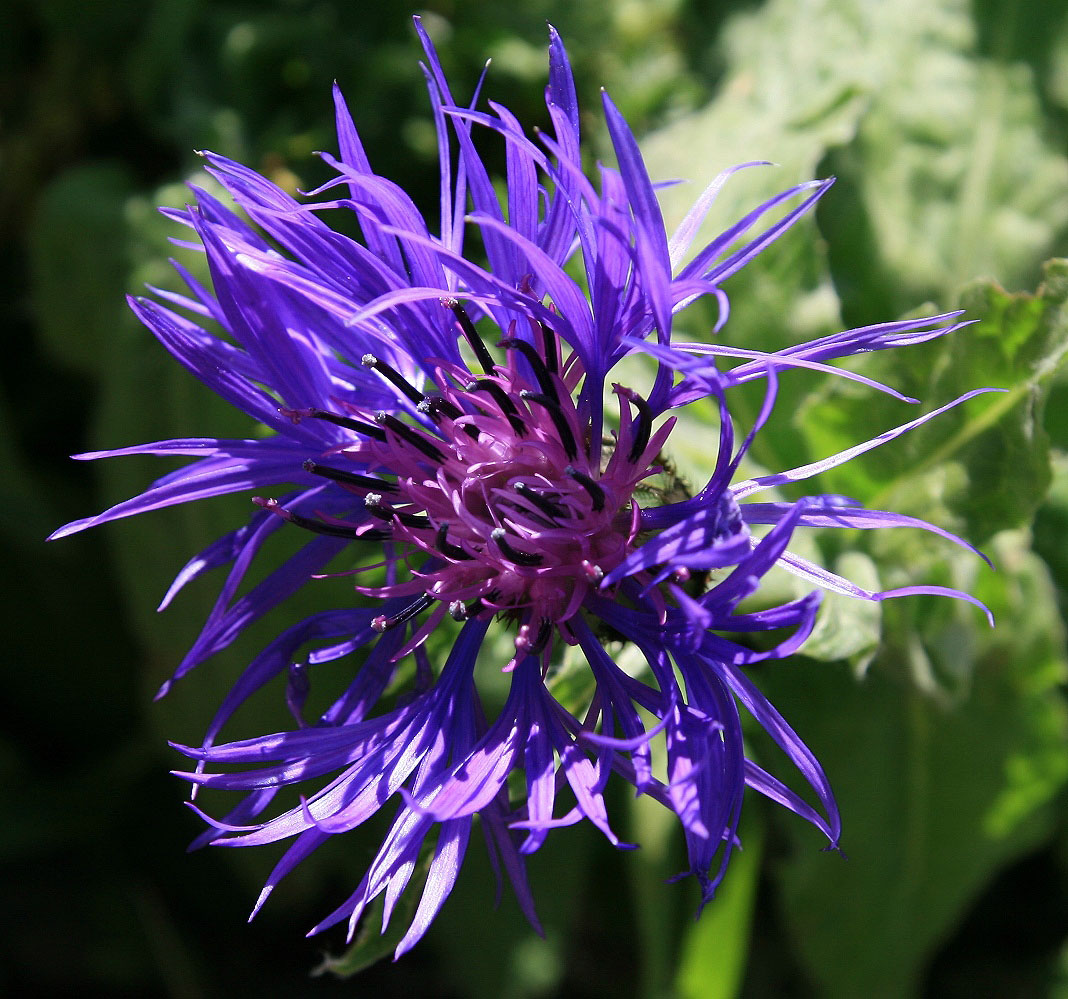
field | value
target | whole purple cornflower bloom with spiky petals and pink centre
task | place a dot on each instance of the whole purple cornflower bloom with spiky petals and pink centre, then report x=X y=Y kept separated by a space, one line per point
x=446 y=422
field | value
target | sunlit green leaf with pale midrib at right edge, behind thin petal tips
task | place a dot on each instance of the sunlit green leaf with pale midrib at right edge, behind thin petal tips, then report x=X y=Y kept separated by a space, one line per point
x=984 y=466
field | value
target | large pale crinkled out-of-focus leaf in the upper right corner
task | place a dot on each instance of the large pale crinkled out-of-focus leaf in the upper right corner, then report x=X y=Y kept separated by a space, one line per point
x=945 y=171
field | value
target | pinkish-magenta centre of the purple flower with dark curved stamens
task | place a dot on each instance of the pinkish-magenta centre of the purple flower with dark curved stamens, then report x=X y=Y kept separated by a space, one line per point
x=498 y=486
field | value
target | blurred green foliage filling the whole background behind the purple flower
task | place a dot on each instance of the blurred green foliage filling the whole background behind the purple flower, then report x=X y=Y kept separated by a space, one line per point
x=948 y=744
